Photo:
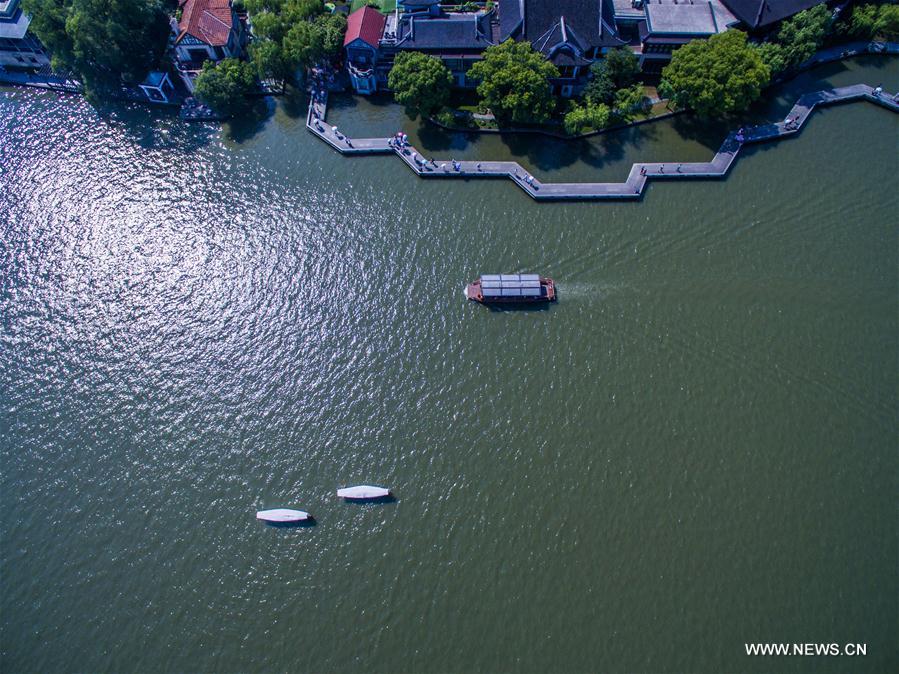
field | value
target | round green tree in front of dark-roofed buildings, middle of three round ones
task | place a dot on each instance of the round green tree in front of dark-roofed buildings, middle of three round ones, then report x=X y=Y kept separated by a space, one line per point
x=514 y=82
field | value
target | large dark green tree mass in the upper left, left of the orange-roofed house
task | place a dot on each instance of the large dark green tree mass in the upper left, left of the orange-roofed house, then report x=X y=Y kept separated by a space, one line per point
x=105 y=42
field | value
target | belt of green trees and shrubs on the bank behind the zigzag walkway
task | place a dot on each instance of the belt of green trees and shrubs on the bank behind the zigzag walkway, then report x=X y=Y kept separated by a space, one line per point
x=715 y=77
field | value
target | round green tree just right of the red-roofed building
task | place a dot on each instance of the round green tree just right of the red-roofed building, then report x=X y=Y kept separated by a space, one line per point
x=421 y=83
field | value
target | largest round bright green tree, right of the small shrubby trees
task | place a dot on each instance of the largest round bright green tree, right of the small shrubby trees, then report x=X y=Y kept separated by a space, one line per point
x=717 y=76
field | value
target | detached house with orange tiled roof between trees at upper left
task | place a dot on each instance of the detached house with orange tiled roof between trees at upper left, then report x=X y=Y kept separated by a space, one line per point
x=208 y=30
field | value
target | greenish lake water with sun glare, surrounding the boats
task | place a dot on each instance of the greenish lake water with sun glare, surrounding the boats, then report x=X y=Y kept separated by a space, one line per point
x=695 y=448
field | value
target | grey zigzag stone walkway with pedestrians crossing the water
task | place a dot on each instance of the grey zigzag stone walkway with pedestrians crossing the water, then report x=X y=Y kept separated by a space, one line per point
x=637 y=179
